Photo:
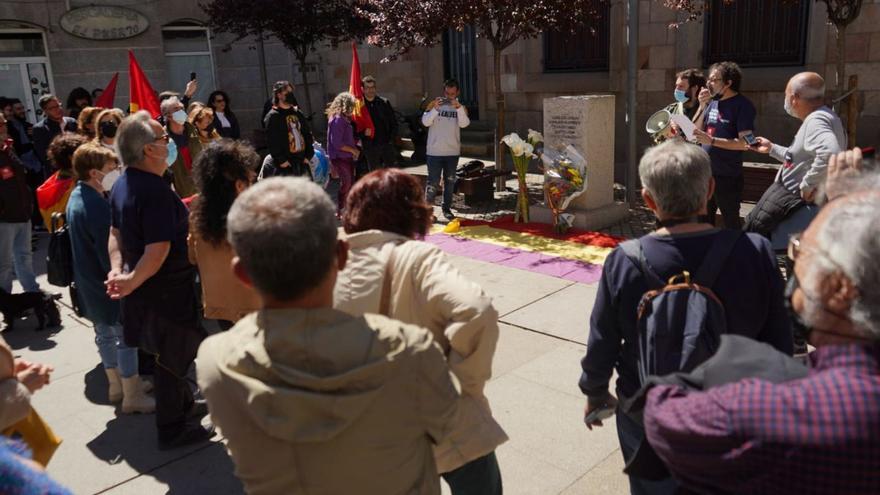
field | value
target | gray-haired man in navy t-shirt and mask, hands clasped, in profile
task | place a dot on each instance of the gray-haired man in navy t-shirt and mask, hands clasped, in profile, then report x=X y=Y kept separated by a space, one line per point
x=151 y=273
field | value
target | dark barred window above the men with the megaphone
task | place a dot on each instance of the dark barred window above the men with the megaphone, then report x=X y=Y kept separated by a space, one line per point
x=756 y=33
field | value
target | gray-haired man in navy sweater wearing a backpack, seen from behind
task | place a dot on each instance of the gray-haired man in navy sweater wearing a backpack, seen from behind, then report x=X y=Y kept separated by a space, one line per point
x=677 y=180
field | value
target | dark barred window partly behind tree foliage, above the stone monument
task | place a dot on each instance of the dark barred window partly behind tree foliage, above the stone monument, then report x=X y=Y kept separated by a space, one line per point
x=584 y=51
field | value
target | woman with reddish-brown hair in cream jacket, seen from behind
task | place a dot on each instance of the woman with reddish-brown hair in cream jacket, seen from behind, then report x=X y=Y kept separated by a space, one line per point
x=390 y=272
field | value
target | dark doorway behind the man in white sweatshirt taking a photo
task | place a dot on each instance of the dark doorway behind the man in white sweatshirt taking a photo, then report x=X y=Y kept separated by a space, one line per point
x=460 y=62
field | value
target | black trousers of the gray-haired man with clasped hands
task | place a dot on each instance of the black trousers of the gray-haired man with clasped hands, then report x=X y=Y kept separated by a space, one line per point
x=167 y=327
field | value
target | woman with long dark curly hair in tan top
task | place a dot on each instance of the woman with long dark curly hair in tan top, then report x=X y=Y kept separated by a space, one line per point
x=222 y=171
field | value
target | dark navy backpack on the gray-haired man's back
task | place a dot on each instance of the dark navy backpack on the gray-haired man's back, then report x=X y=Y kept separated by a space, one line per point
x=680 y=321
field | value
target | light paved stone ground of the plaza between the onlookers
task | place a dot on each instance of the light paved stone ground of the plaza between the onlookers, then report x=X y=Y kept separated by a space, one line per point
x=533 y=393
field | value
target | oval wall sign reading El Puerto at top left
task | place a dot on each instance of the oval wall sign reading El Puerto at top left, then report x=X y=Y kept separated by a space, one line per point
x=104 y=23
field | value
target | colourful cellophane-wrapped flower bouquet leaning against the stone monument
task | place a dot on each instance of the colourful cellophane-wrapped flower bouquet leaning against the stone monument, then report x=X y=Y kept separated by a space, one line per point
x=565 y=178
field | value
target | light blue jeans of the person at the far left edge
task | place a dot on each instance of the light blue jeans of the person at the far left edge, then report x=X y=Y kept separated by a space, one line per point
x=15 y=254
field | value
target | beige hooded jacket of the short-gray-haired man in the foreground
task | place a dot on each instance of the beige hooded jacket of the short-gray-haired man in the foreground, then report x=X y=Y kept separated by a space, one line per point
x=319 y=402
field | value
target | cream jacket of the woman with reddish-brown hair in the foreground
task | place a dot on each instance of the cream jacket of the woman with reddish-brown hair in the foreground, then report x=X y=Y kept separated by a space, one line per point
x=427 y=291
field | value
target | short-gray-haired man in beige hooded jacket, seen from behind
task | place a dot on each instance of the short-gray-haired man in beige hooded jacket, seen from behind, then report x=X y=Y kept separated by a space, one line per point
x=312 y=399
